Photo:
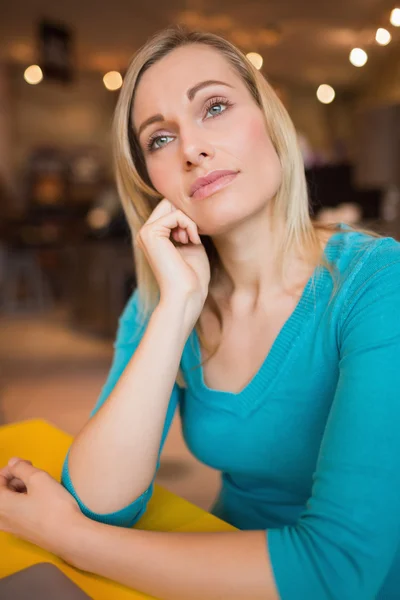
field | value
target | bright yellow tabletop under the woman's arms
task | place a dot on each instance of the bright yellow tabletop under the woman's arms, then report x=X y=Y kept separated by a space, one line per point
x=46 y=446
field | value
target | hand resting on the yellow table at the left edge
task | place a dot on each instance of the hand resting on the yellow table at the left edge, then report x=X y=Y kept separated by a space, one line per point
x=35 y=507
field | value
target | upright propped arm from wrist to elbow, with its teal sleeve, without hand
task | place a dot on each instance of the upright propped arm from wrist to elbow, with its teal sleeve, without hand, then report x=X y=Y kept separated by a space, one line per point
x=129 y=428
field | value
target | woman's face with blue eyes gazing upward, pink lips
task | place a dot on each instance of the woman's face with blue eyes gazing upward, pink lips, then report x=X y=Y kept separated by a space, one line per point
x=217 y=126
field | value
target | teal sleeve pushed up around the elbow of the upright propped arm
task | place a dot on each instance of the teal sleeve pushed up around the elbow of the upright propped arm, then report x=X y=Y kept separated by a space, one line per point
x=129 y=335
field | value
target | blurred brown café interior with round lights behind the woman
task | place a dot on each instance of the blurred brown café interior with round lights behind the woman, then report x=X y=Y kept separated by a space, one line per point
x=66 y=267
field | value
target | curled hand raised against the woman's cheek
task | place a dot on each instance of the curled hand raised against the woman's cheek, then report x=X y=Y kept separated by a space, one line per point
x=181 y=271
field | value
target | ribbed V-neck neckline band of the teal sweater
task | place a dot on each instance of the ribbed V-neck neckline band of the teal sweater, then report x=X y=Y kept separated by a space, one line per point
x=253 y=393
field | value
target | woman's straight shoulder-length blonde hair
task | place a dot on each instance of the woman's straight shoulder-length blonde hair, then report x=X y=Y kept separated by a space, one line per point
x=139 y=198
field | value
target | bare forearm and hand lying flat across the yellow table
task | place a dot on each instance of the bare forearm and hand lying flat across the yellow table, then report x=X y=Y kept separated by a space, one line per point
x=173 y=566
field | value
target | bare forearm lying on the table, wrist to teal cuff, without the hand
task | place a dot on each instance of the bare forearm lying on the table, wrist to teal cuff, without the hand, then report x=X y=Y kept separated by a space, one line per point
x=176 y=566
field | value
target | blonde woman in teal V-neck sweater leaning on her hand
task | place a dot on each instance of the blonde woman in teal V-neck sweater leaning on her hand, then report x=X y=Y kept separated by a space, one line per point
x=297 y=330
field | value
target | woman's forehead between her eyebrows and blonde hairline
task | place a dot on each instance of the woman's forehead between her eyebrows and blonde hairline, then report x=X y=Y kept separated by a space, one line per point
x=175 y=73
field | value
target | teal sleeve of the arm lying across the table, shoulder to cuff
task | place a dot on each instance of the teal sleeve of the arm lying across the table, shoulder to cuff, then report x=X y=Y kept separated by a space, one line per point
x=343 y=545
